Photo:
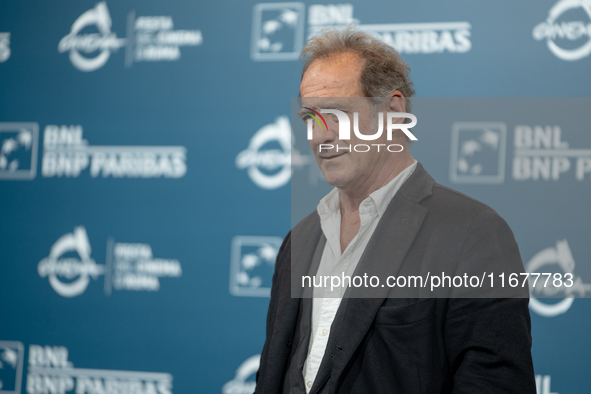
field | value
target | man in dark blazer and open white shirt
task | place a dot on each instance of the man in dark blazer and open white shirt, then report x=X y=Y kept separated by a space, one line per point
x=386 y=216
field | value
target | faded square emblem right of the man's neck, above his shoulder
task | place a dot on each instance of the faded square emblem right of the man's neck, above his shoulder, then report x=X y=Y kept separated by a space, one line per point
x=478 y=152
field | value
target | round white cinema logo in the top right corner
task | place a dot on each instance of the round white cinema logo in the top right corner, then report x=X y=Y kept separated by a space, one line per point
x=574 y=36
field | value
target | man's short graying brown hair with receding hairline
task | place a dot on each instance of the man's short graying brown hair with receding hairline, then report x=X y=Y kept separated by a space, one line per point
x=383 y=71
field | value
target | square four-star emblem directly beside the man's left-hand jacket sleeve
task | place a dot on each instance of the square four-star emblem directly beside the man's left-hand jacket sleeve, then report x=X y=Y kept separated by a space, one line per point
x=252 y=265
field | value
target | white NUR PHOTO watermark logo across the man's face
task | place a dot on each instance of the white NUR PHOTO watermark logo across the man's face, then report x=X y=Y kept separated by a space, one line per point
x=345 y=129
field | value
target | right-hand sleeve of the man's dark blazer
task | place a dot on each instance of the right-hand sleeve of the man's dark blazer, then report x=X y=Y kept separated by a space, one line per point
x=488 y=340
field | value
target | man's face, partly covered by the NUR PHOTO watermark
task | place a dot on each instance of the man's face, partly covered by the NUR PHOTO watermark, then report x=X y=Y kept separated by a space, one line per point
x=327 y=84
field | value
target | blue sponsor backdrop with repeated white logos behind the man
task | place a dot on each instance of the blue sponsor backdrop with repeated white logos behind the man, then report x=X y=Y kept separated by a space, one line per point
x=146 y=158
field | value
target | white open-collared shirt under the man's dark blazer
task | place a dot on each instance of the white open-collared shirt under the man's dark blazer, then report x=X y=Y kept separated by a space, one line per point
x=326 y=303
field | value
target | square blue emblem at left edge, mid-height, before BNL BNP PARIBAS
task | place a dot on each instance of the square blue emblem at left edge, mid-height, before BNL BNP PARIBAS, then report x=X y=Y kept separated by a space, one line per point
x=18 y=150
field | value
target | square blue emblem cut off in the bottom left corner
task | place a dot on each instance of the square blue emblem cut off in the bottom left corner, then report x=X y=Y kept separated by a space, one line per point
x=11 y=367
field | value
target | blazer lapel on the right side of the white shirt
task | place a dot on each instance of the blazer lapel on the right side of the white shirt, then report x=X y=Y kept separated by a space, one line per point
x=382 y=257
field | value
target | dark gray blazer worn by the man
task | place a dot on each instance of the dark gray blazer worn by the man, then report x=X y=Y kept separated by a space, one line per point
x=413 y=344
